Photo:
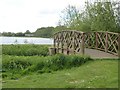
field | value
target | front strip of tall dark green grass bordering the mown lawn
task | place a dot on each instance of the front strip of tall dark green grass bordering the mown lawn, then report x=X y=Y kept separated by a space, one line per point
x=27 y=64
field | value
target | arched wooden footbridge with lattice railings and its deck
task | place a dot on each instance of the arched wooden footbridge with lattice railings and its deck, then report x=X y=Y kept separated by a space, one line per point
x=94 y=44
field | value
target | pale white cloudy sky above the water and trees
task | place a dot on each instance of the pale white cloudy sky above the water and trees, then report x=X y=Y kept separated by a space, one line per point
x=22 y=15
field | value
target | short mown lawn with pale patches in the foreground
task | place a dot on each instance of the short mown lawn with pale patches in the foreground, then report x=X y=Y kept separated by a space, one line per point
x=93 y=74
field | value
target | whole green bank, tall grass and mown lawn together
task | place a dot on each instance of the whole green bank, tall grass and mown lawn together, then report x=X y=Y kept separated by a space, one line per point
x=37 y=70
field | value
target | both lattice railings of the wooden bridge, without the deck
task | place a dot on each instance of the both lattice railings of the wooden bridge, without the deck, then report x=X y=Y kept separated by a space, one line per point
x=78 y=40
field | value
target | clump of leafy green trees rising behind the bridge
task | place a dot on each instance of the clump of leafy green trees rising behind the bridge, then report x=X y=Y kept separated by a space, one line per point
x=97 y=16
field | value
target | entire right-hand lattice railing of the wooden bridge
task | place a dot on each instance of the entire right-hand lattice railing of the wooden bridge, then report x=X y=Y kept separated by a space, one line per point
x=105 y=41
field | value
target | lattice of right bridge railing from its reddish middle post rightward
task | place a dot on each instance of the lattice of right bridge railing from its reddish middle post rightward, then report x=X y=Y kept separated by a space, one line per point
x=107 y=41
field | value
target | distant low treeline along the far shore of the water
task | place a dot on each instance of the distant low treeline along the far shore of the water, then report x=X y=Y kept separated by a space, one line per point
x=45 y=32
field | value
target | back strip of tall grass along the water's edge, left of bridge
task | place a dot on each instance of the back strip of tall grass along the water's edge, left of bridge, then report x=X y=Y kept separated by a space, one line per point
x=25 y=50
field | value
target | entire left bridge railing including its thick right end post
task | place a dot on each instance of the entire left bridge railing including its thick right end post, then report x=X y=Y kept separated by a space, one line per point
x=69 y=42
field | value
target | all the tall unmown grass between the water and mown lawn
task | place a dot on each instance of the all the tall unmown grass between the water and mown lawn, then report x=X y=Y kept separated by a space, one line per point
x=25 y=59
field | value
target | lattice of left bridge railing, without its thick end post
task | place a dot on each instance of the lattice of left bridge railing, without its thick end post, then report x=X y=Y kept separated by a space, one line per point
x=69 y=40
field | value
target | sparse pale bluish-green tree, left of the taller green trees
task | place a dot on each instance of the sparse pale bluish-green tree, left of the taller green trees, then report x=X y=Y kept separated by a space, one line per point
x=70 y=17
